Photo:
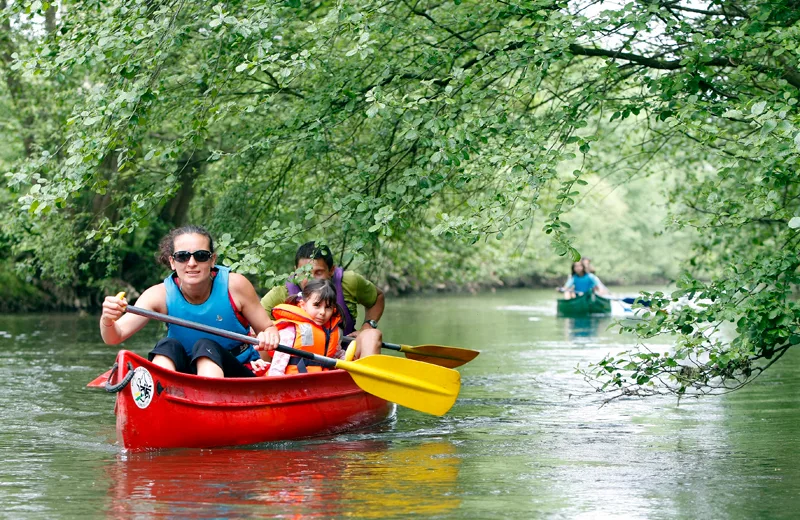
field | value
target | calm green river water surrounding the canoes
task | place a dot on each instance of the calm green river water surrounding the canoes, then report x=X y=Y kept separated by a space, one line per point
x=527 y=437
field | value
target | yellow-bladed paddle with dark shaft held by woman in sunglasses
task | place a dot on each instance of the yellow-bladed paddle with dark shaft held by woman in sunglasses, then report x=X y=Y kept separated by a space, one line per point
x=420 y=386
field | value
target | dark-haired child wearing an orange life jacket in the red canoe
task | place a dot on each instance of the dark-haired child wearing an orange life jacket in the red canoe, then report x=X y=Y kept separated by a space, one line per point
x=310 y=321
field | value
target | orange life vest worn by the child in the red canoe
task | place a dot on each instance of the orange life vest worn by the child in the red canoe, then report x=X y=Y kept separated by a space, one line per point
x=321 y=340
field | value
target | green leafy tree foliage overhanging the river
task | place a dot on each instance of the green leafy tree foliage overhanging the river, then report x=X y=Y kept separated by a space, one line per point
x=420 y=133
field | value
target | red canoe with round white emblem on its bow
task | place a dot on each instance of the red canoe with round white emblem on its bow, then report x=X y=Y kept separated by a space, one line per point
x=158 y=408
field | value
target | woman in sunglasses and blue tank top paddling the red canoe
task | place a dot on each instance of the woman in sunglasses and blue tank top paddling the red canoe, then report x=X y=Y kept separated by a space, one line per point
x=200 y=291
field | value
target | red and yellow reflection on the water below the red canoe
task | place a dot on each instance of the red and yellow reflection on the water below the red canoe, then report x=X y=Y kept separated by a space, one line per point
x=363 y=479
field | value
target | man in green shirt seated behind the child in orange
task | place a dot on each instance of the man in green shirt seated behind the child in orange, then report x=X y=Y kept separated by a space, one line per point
x=352 y=289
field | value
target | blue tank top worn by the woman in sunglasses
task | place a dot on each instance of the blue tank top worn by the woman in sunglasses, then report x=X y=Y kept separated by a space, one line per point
x=216 y=311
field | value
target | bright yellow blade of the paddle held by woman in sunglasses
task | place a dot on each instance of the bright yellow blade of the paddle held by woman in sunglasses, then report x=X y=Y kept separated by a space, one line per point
x=420 y=386
